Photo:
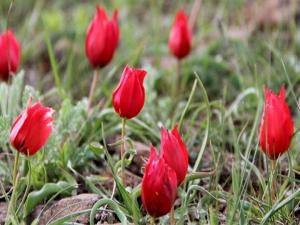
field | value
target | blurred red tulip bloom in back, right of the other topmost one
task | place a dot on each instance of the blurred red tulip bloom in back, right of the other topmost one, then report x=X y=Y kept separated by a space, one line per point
x=180 y=36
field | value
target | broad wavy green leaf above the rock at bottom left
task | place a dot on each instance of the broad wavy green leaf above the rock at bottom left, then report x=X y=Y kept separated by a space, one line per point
x=36 y=197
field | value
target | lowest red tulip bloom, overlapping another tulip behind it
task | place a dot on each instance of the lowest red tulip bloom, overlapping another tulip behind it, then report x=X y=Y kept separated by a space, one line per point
x=159 y=186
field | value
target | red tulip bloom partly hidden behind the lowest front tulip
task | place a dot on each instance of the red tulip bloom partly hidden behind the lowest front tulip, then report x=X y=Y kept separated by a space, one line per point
x=174 y=152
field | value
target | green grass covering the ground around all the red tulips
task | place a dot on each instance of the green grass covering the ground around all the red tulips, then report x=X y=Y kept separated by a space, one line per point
x=219 y=120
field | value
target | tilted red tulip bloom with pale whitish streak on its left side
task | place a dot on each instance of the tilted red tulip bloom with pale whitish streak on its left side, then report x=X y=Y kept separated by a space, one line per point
x=31 y=128
